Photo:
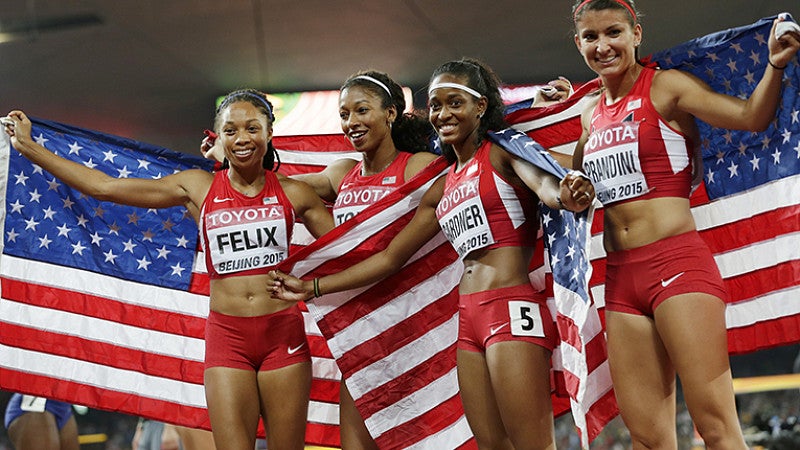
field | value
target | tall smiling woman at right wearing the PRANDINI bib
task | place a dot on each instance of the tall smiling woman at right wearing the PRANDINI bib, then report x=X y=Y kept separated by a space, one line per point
x=640 y=147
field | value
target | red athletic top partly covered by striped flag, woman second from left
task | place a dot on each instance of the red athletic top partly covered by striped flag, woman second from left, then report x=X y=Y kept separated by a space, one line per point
x=356 y=191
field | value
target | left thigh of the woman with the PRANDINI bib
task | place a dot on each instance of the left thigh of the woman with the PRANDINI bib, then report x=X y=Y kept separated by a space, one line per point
x=643 y=378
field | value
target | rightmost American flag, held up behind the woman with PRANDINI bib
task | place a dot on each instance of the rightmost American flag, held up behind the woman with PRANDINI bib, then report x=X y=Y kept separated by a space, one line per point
x=747 y=209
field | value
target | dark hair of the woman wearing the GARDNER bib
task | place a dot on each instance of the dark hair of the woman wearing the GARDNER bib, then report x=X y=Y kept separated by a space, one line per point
x=482 y=78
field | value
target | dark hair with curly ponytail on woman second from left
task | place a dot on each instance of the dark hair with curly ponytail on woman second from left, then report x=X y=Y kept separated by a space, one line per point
x=411 y=132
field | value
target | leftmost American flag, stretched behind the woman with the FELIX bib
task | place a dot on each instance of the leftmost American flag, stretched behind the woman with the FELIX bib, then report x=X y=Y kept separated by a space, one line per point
x=104 y=305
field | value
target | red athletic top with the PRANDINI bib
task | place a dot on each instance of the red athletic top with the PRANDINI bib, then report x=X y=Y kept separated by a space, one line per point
x=632 y=153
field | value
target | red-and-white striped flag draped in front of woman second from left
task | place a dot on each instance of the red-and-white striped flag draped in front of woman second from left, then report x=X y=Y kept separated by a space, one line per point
x=394 y=341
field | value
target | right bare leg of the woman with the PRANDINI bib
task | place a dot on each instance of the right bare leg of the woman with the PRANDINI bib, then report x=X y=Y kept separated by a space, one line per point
x=693 y=329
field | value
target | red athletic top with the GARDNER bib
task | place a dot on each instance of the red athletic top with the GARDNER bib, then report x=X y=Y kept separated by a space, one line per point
x=480 y=209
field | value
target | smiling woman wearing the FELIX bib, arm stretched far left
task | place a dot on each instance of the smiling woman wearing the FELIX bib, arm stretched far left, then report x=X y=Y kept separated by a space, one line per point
x=246 y=213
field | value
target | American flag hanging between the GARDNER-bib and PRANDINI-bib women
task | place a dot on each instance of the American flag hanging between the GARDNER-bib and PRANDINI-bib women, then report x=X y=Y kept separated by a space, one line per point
x=582 y=380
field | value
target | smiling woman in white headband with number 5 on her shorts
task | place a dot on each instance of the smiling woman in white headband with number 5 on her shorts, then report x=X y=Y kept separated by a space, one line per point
x=487 y=206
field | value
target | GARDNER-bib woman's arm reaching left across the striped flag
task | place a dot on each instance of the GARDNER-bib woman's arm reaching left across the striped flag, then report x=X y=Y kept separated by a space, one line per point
x=422 y=227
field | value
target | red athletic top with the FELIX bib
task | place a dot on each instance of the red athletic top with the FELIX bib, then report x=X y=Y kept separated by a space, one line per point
x=245 y=235
